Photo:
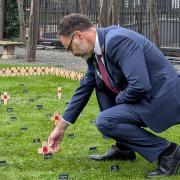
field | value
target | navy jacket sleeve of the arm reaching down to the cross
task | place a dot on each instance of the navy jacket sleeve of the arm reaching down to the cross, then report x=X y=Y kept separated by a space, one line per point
x=80 y=97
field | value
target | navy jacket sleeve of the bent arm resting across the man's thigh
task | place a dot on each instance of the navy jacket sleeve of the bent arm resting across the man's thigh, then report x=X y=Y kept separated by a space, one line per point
x=129 y=56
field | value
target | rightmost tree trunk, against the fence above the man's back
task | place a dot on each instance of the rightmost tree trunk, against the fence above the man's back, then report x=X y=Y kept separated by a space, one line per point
x=153 y=20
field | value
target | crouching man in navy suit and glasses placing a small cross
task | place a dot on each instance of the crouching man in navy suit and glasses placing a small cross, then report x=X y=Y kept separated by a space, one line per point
x=136 y=87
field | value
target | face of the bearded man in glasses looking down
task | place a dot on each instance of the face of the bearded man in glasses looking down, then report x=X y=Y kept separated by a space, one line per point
x=77 y=44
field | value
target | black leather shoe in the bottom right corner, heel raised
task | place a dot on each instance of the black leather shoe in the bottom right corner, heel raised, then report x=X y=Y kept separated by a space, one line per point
x=167 y=165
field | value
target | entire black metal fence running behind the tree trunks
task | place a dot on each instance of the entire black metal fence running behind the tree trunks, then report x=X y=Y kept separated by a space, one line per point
x=132 y=14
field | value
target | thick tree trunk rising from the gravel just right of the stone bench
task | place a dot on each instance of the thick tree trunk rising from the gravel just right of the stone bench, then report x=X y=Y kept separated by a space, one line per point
x=33 y=31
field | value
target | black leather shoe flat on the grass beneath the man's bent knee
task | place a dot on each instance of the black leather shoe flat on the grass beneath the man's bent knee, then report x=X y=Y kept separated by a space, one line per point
x=115 y=154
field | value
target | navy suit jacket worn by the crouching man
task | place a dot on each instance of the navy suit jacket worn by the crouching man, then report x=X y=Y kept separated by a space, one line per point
x=146 y=78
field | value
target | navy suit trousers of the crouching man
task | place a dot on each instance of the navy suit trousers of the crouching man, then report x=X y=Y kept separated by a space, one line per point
x=122 y=123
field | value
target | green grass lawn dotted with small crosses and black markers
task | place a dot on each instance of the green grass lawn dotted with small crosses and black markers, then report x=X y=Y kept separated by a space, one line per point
x=23 y=161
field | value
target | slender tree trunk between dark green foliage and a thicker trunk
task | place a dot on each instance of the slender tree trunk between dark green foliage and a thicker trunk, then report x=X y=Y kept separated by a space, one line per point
x=22 y=21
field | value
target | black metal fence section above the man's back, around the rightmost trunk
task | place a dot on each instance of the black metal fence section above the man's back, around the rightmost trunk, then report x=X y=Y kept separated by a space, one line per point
x=135 y=15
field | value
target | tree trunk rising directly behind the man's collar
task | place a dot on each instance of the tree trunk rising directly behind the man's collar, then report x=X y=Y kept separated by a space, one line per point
x=105 y=17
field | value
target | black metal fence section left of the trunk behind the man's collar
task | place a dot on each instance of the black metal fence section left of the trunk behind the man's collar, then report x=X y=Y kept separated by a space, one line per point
x=51 y=11
